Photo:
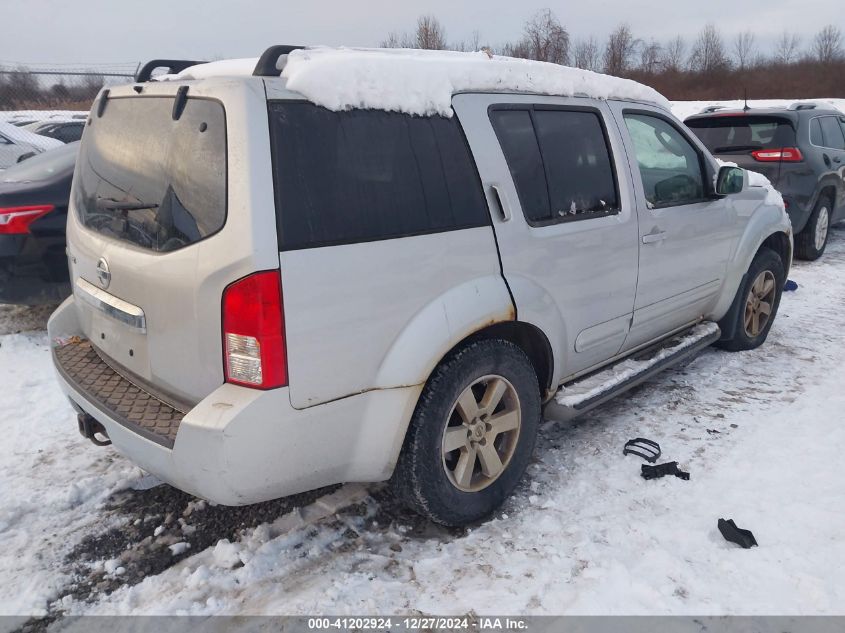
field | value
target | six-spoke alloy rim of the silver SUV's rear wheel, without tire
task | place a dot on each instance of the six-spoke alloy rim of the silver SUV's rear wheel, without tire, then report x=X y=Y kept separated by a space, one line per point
x=481 y=434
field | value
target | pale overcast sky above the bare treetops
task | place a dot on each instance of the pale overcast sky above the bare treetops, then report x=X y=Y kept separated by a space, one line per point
x=111 y=31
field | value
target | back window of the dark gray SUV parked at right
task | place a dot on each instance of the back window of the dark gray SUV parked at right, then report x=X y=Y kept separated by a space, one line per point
x=742 y=134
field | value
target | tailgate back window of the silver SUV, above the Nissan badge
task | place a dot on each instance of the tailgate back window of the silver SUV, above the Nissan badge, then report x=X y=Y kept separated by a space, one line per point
x=147 y=179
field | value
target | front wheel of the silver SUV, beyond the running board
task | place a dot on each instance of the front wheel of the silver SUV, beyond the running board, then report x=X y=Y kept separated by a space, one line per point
x=759 y=300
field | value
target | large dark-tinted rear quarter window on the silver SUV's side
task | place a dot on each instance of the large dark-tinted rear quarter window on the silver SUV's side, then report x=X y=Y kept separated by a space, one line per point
x=365 y=175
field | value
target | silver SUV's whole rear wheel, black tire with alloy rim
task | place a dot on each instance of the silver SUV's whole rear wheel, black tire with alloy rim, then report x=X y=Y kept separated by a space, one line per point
x=472 y=434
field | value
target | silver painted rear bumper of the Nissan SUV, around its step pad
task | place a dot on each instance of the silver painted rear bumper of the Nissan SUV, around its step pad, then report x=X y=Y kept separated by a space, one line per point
x=240 y=446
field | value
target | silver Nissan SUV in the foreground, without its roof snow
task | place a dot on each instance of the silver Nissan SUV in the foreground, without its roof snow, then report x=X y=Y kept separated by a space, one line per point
x=271 y=296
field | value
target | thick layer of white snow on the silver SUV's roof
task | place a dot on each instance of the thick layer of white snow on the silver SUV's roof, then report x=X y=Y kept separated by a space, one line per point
x=423 y=82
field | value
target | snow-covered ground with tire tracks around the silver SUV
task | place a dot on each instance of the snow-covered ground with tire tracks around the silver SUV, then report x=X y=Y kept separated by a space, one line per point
x=84 y=531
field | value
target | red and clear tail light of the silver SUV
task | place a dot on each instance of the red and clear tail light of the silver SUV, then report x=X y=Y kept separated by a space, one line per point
x=254 y=348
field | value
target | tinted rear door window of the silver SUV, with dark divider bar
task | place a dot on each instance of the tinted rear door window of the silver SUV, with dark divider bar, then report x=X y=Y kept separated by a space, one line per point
x=560 y=162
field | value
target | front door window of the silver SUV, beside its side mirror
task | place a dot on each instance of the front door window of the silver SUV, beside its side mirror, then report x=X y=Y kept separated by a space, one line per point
x=669 y=164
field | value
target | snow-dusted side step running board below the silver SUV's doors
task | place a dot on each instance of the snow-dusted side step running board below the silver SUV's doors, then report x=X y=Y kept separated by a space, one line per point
x=586 y=393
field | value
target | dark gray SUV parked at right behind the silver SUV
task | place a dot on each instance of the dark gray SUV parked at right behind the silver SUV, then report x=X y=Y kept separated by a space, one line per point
x=801 y=149
